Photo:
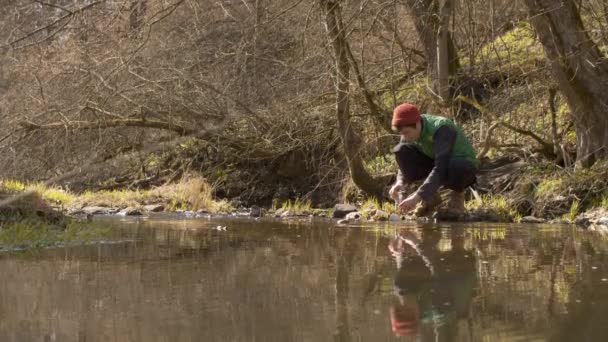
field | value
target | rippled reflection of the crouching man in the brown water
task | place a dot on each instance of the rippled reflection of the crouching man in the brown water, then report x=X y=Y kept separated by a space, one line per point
x=434 y=285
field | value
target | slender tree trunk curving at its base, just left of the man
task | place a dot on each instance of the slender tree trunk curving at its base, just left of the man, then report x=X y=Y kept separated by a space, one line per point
x=350 y=140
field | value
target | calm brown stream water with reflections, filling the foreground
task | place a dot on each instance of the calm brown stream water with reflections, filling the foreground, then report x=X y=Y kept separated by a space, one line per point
x=170 y=279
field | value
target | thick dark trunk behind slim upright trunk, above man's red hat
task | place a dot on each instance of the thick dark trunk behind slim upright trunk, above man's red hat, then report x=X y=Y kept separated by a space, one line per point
x=426 y=20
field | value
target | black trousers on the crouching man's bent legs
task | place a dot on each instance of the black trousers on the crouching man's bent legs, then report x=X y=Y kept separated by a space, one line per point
x=415 y=165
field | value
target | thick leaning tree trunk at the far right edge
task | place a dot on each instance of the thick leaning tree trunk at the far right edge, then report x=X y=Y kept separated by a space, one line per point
x=580 y=70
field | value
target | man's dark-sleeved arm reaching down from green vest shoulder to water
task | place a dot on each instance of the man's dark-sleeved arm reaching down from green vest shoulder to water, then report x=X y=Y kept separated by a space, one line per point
x=443 y=142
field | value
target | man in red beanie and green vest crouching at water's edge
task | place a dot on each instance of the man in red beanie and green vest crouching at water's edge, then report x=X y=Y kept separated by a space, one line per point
x=434 y=149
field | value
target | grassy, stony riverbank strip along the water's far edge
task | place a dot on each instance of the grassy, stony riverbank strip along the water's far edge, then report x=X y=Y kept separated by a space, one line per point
x=515 y=192
